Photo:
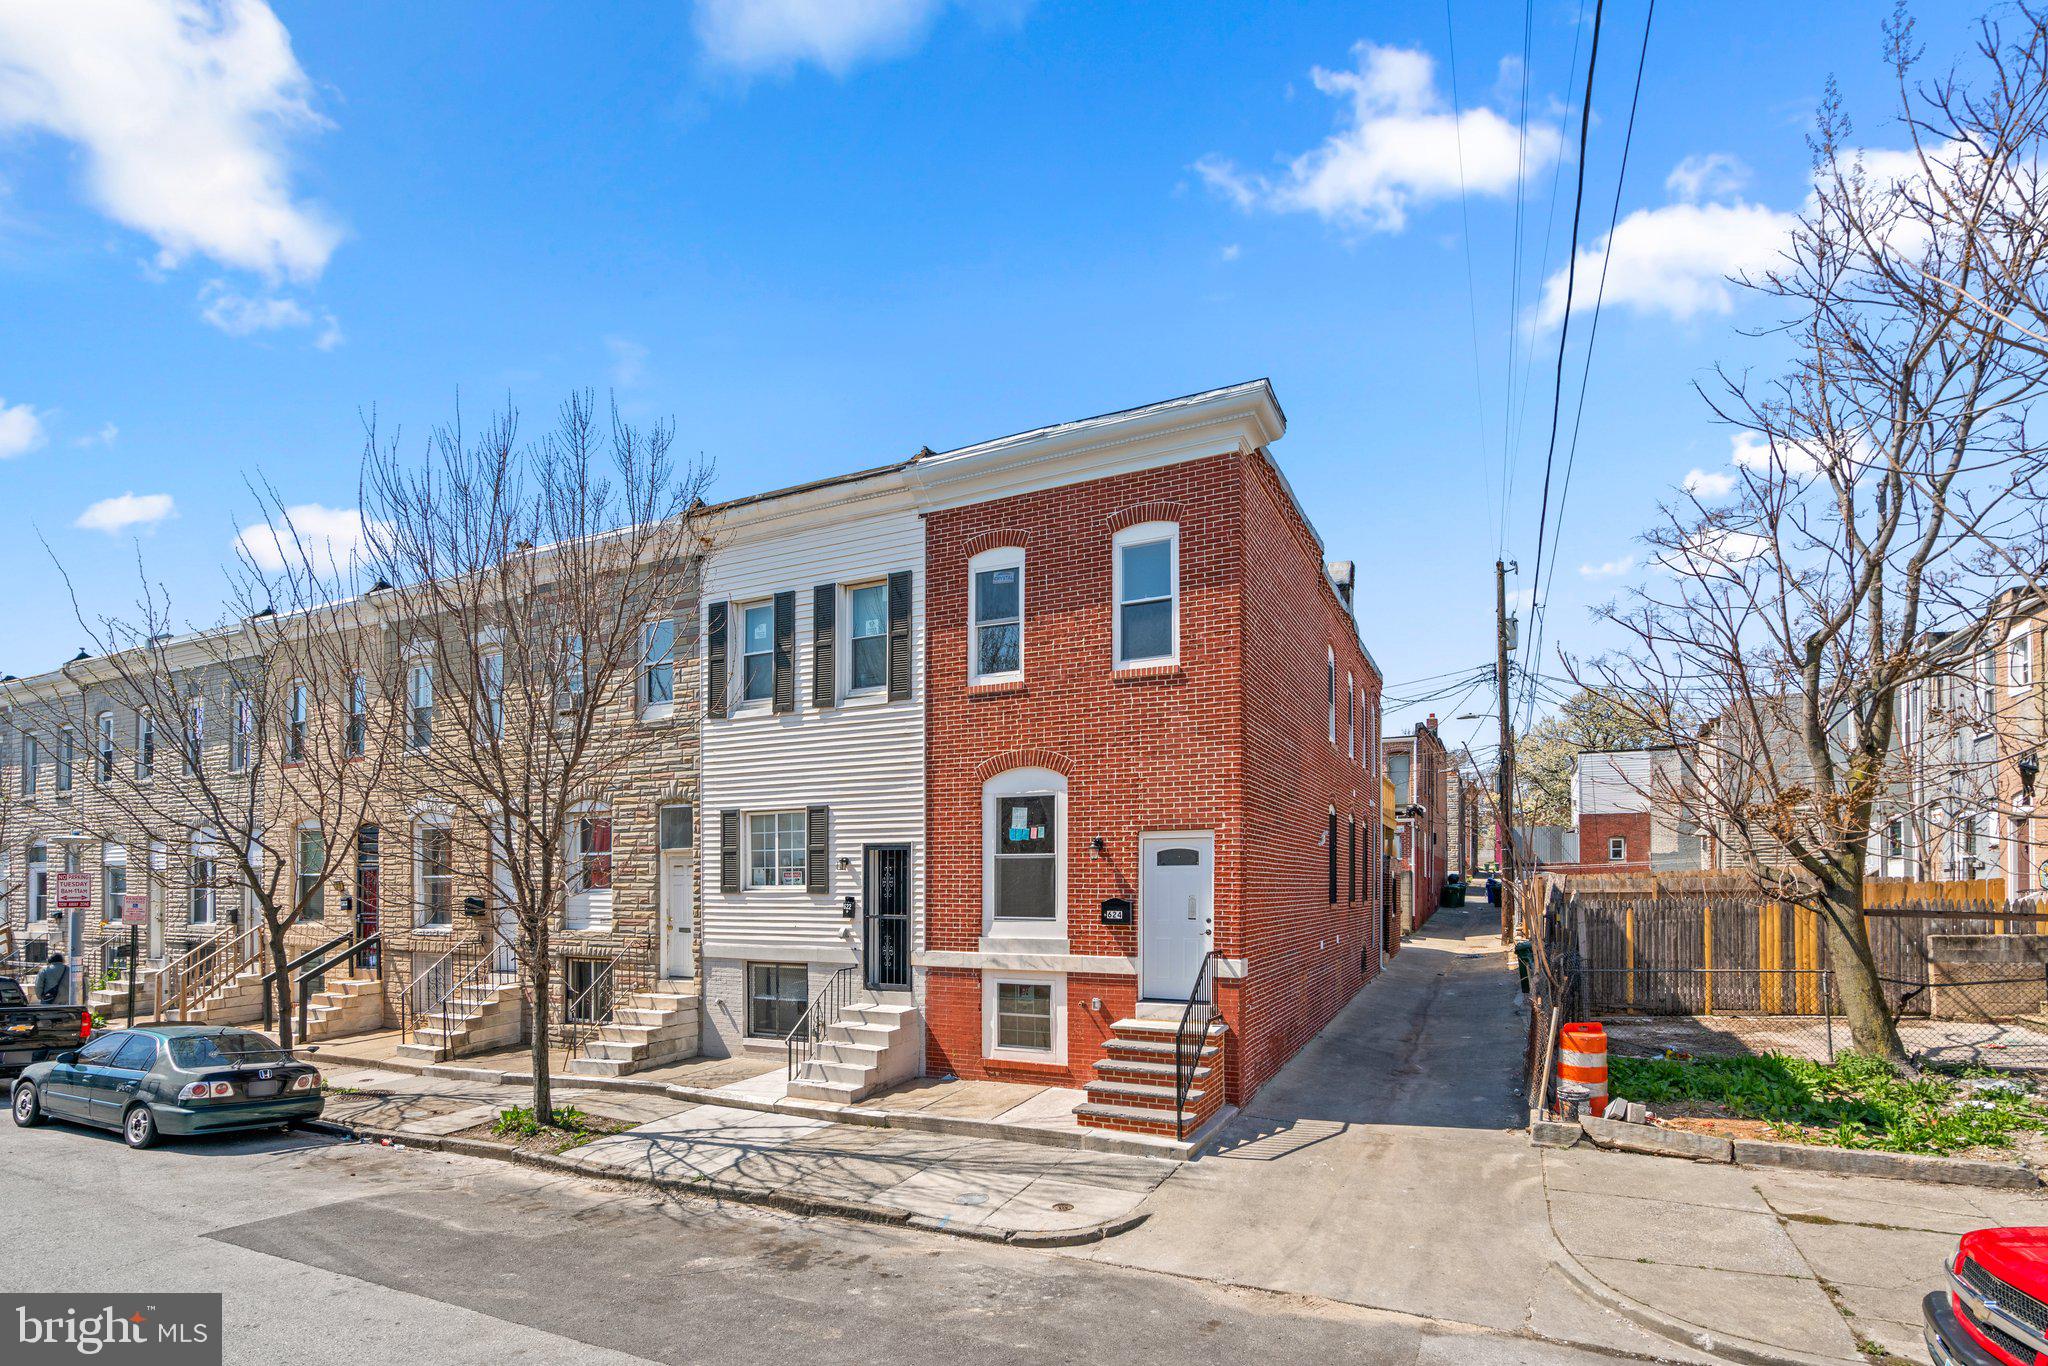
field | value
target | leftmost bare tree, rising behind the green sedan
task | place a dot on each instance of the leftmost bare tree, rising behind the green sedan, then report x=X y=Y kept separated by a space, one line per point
x=247 y=746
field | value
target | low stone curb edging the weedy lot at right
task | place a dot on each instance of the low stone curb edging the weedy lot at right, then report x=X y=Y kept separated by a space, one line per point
x=1656 y=1142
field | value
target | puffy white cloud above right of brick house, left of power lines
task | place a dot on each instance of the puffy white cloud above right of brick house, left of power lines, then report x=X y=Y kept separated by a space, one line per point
x=1398 y=146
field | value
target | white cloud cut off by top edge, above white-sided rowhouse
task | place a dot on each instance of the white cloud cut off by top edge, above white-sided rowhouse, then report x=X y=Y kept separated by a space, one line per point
x=773 y=36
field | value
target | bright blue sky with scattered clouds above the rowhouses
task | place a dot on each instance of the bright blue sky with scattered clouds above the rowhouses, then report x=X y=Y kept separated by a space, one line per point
x=822 y=237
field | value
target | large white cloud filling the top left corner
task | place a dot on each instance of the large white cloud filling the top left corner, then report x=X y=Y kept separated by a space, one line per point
x=183 y=112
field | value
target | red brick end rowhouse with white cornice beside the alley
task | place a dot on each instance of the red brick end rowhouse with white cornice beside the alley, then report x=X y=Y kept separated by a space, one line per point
x=1150 y=759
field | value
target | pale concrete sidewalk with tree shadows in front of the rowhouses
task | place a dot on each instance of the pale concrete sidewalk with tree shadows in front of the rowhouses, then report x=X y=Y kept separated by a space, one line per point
x=976 y=1187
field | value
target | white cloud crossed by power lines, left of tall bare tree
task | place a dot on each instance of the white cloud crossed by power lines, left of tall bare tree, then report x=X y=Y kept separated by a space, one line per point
x=1674 y=261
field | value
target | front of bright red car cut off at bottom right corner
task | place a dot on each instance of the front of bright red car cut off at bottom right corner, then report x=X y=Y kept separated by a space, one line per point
x=1996 y=1308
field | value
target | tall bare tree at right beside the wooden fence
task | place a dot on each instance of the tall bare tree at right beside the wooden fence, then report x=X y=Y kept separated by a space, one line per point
x=1887 y=493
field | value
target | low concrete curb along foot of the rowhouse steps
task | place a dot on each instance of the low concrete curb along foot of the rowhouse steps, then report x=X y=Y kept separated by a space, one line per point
x=1123 y=1146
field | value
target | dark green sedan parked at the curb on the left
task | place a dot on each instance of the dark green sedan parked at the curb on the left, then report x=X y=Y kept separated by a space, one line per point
x=171 y=1080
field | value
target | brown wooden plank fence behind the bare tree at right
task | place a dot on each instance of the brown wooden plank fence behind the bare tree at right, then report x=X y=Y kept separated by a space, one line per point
x=1705 y=949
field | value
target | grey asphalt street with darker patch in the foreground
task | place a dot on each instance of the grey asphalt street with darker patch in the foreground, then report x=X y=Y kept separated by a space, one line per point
x=333 y=1252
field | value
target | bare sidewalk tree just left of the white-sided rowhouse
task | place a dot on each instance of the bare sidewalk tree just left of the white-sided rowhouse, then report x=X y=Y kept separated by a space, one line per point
x=534 y=587
